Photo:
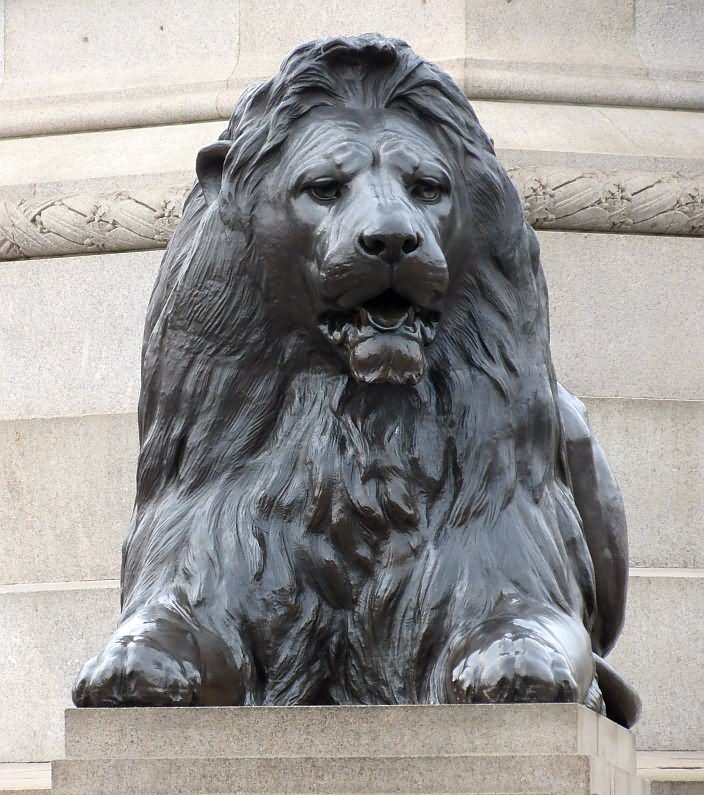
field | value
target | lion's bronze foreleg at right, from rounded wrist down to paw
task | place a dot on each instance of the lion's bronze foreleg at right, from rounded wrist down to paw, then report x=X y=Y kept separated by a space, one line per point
x=527 y=653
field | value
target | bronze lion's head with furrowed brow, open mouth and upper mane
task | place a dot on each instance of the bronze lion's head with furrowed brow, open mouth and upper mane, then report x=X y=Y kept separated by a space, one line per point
x=357 y=193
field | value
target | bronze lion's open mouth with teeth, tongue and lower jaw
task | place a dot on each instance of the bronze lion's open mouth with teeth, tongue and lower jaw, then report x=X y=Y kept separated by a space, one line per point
x=384 y=338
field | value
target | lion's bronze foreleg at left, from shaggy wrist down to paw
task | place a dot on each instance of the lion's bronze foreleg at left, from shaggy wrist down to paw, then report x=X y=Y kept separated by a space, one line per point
x=161 y=655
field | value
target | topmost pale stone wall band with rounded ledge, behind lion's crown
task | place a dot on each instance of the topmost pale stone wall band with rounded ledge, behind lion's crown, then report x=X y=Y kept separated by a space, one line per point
x=508 y=51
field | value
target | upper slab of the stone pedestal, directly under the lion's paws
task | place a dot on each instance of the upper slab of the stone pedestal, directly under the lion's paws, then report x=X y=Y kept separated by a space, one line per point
x=338 y=732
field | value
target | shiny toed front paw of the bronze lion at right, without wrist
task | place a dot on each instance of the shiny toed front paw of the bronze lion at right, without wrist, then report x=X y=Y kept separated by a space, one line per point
x=514 y=669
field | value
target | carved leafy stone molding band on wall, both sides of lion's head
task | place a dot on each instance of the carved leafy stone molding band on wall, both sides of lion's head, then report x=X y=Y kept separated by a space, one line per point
x=593 y=201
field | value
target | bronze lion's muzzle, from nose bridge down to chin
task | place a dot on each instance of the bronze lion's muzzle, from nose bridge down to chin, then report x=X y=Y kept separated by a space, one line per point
x=382 y=282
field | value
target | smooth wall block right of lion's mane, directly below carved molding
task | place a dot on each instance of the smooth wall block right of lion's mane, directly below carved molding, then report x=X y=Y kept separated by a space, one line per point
x=625 y=314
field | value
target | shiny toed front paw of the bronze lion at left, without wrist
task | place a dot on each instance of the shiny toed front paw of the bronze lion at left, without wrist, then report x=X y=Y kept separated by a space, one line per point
x=135 y=671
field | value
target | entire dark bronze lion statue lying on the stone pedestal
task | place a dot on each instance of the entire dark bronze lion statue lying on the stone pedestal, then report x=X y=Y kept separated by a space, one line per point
x=359 y=481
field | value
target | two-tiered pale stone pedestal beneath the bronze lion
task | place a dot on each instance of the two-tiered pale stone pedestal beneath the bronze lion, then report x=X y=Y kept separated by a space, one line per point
x=561 y=749
